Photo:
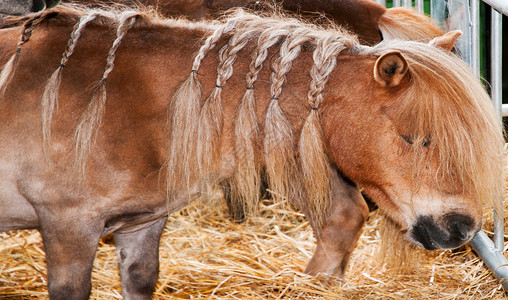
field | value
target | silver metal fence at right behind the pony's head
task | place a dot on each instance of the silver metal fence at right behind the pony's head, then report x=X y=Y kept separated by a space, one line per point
x=465 y=16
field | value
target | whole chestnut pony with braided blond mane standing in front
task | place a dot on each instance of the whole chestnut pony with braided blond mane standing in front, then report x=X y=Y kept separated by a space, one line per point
x=103 y=131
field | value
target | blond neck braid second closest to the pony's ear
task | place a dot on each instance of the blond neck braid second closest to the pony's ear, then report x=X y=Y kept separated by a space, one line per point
x=281 y=166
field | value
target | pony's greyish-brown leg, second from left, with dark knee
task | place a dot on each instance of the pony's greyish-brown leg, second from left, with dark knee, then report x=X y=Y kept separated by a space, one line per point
x=138 y=253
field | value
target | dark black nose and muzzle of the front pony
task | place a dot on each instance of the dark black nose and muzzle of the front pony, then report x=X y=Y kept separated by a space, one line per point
x=450 y=231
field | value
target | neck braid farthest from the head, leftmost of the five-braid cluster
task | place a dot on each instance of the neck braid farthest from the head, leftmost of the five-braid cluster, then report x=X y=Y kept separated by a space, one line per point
x=184 y=111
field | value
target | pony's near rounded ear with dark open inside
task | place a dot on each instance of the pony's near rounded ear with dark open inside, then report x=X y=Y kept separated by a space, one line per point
x=390 y=68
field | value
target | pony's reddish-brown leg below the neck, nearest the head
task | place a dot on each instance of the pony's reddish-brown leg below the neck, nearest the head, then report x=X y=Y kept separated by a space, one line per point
x=341 y=228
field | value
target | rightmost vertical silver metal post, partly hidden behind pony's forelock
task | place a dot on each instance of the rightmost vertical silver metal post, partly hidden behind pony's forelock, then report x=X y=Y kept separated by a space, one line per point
x=497 y=90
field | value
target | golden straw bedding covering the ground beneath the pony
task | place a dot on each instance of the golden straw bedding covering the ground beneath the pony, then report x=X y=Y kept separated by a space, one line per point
x=204 y=255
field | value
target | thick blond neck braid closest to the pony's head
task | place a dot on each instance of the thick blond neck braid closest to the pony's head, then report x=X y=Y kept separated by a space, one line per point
x=314 y=163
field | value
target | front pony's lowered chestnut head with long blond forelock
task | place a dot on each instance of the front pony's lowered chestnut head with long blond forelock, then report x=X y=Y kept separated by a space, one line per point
x=420 y=135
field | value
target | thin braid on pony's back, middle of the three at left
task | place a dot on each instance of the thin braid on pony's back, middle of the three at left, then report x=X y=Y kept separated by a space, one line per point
x=50 y=95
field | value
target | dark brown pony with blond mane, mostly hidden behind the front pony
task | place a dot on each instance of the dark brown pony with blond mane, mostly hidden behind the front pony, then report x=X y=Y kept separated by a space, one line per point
x=367 y=19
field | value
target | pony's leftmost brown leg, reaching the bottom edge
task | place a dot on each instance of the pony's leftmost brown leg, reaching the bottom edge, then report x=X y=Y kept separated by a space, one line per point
x=70 y=242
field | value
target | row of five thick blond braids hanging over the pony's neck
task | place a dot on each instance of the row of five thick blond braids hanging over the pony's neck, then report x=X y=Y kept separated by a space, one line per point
x=288 y=166
